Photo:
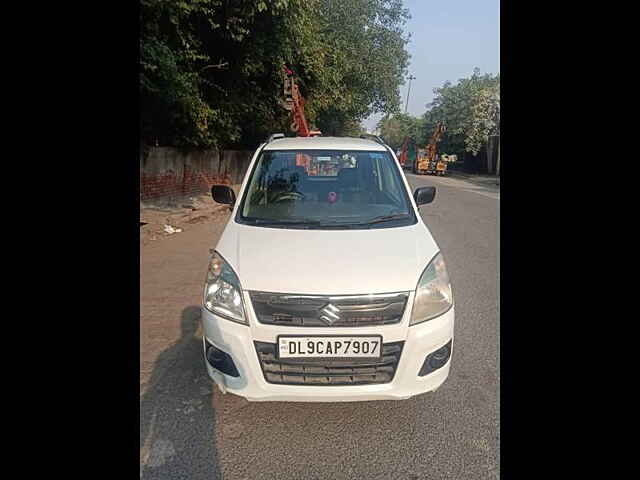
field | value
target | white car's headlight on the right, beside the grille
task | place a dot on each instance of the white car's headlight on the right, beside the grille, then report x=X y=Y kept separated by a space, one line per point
x=433 y=293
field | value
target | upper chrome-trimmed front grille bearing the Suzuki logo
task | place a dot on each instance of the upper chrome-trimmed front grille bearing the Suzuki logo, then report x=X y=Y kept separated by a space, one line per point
x=328 y=311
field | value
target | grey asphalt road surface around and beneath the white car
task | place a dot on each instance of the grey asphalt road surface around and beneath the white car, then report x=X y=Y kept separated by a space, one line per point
x=189 y=430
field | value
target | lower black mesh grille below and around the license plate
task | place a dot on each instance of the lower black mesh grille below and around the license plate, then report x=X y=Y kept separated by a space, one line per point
x=312 y=371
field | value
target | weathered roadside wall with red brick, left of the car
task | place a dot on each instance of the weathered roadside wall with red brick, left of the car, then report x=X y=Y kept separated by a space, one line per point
x=168 y=173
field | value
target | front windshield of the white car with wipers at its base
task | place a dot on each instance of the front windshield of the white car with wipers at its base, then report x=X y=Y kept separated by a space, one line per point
x=326 y=189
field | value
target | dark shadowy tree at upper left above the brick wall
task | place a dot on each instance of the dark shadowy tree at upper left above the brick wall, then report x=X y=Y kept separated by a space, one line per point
x=210 y=70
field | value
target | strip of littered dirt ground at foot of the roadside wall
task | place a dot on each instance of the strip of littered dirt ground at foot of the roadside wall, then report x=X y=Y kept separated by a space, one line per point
x=179 y=214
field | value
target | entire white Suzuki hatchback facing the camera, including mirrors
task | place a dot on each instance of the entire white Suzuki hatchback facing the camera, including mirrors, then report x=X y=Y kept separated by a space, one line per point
x=326 y=285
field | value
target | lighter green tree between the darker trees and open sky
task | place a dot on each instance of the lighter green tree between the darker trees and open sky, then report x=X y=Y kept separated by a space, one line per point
x=364 y=60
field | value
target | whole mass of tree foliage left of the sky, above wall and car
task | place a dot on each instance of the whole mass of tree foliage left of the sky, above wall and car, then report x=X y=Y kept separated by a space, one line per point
x=210 y=70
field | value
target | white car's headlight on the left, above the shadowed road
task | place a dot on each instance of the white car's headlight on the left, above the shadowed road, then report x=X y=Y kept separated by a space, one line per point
x=222 y=291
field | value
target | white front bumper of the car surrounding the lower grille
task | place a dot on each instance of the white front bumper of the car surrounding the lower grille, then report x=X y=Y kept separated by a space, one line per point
x=238 y=341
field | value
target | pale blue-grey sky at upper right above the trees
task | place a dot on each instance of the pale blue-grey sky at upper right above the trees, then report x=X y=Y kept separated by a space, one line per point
x=448 y=39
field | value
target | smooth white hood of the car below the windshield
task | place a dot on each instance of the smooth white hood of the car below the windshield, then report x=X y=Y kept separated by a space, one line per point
x=327 y=262
